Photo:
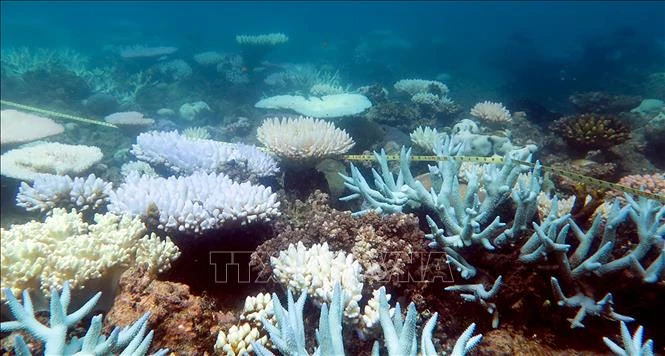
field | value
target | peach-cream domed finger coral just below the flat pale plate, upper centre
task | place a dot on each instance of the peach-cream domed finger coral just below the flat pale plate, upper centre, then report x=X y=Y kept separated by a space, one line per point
x=303 y=138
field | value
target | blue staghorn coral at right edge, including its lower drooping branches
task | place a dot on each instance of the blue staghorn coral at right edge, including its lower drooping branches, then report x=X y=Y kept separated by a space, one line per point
x=548 y=242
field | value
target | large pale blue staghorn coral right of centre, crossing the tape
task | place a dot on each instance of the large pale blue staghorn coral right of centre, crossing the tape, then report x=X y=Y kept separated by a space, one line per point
x=466 y=219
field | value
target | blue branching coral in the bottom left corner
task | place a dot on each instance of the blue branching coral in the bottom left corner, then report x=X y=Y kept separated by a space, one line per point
x=130 y=340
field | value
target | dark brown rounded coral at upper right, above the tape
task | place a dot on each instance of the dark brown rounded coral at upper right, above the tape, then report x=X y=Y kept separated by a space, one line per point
x=590 y=131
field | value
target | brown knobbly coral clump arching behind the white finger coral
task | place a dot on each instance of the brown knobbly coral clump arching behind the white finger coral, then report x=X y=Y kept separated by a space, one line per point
x=388 y=247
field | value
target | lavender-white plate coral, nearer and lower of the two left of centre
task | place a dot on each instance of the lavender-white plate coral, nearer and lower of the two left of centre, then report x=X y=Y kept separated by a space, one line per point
x=194 y=203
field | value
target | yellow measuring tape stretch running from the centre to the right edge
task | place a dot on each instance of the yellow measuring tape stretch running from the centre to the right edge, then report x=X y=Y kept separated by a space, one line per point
x=500 y=160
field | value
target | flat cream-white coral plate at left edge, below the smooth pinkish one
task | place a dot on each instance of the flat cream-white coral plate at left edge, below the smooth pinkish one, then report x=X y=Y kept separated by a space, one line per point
x=27 y=162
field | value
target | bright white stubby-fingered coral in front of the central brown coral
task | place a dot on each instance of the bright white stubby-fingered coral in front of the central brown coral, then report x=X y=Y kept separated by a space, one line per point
x=316 y=270
